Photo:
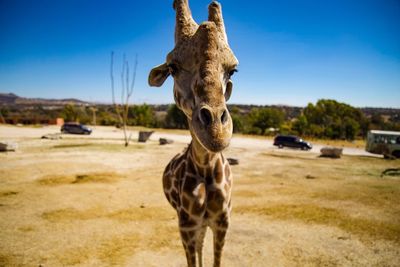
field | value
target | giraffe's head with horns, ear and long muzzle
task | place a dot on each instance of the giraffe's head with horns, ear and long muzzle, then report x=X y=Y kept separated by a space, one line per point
x=201 y=65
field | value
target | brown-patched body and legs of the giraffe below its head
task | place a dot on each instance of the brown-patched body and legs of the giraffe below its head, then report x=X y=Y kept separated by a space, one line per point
x=201 y=195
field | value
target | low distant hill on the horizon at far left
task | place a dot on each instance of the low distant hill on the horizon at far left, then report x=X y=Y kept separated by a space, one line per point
x=13 y=99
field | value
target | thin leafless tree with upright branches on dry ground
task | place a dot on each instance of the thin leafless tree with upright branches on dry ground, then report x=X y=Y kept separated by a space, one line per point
x=127 y=85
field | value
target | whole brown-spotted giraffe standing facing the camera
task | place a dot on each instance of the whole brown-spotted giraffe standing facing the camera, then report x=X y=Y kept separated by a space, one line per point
x=197 y=182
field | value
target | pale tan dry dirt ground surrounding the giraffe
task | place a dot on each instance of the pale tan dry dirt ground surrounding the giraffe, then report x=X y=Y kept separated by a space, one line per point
x=89 y=201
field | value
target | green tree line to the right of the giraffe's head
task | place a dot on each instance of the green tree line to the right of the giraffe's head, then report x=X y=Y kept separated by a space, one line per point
x=327 y=119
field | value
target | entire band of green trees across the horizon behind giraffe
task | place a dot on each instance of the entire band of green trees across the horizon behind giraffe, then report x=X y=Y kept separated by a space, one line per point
x=327 y=119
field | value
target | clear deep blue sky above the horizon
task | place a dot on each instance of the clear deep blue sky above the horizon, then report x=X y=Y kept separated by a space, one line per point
x=291 y=52
